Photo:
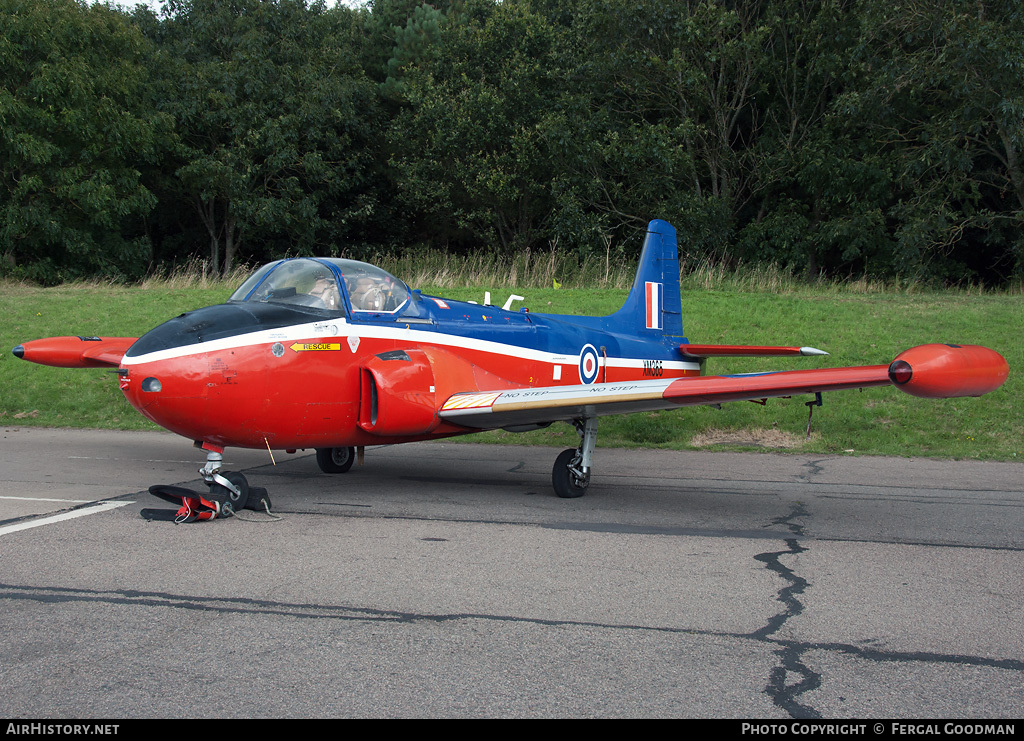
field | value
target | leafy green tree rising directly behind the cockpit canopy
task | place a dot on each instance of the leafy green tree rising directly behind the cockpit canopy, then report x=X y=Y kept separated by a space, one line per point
x=276 y=124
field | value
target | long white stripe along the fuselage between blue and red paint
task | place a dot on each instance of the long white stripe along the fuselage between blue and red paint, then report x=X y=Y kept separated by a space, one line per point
x=342 y=328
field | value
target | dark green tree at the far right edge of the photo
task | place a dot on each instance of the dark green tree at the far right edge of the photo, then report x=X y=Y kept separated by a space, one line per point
x=940 y=94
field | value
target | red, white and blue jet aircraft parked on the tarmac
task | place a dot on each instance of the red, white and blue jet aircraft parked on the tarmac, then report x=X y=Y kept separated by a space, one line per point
x=336 y=356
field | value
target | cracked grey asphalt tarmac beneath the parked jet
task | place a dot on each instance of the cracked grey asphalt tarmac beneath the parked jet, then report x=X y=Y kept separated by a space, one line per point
x=448 y=581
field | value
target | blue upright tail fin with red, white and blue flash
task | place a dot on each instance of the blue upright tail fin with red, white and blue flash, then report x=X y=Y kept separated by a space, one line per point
x=655 y=306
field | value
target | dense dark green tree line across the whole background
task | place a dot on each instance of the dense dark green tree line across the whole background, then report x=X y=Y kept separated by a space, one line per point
x=838 y=138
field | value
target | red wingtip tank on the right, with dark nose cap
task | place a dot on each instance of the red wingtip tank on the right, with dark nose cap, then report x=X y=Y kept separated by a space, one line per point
x=943 y=372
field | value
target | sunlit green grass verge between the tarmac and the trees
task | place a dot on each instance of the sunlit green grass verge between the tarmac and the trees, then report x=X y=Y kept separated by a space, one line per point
x=858 y=326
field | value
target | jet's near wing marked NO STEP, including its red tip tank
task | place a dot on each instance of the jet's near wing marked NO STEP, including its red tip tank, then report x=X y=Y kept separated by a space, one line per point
x=928 y=371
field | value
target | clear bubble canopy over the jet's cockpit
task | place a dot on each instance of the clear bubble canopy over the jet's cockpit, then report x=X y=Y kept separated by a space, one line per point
x=333 y=285
